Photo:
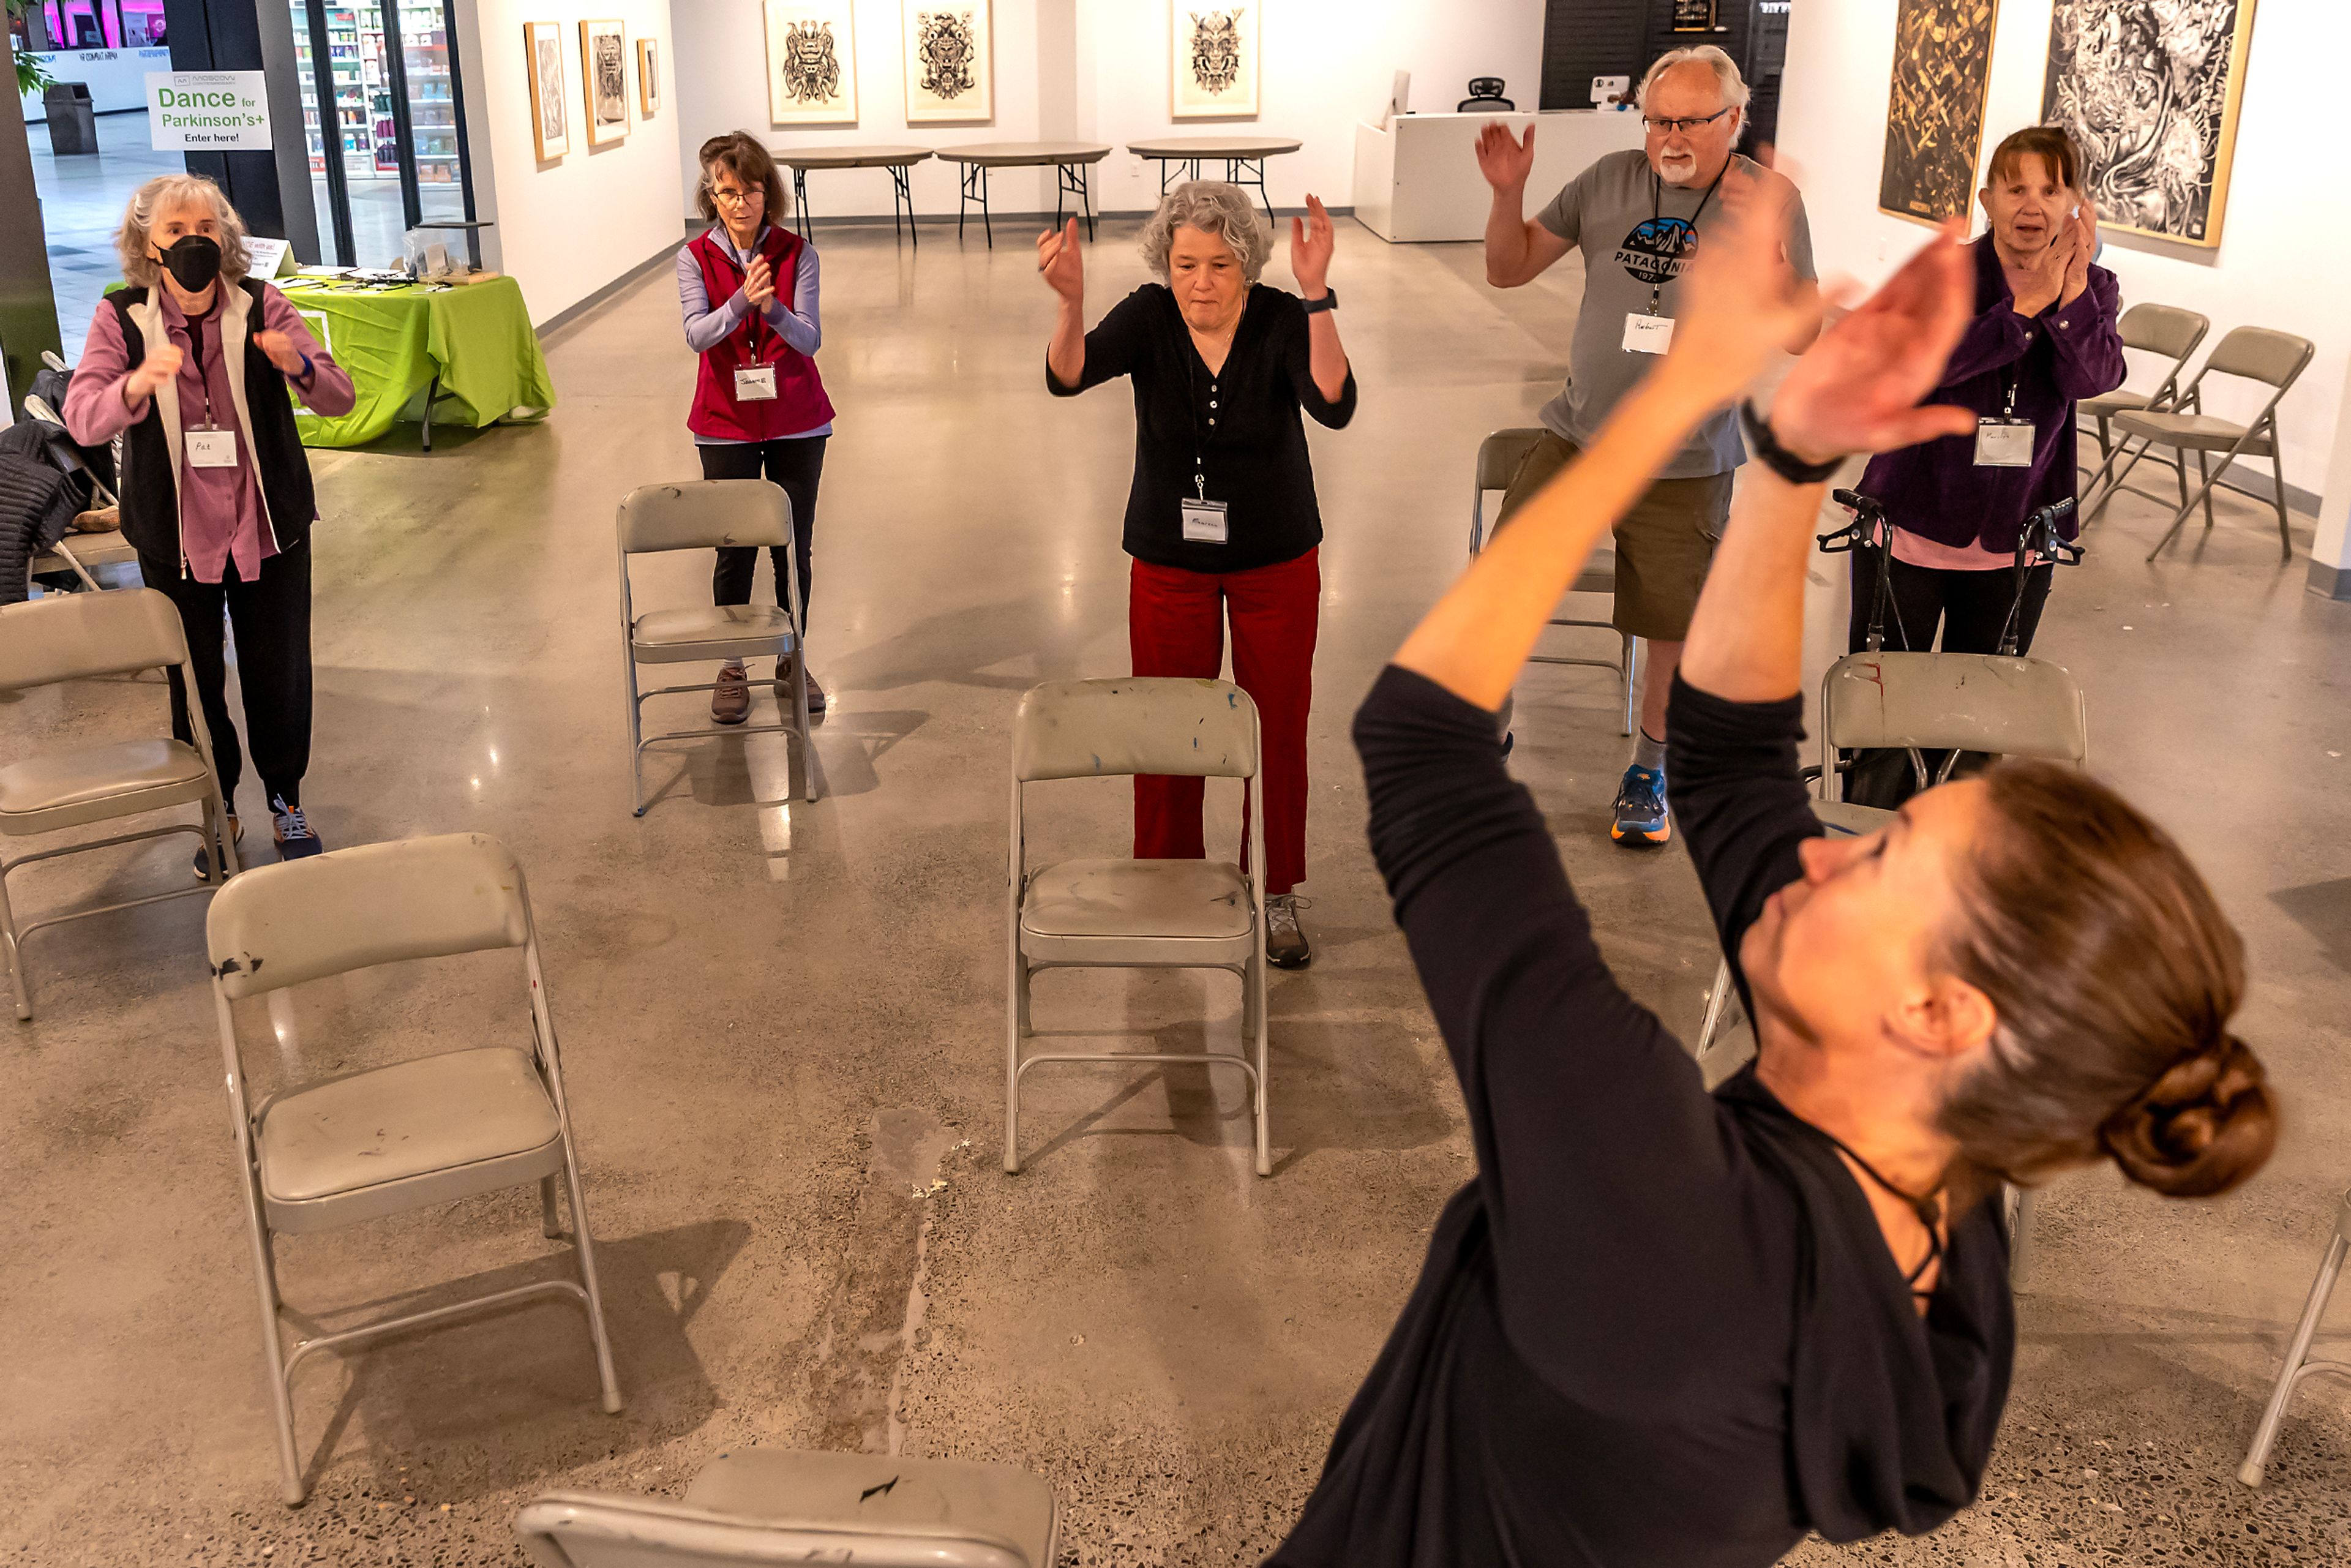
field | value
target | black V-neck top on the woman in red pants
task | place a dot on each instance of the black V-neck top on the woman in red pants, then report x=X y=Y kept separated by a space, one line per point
x=1240 y=422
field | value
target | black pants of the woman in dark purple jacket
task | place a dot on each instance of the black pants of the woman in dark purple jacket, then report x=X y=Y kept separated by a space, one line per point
x=1971 y=612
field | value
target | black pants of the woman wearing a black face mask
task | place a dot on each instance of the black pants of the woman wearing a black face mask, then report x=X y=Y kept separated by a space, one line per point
x=272 y=619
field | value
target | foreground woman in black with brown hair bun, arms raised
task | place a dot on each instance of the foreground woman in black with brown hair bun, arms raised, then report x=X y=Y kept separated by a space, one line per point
x=1666 y=1327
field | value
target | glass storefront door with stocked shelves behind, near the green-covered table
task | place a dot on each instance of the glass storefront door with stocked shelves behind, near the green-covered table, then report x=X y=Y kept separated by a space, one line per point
x=391 y=98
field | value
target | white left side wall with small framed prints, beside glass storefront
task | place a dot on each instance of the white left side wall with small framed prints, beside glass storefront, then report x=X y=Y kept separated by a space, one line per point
x=575 y=225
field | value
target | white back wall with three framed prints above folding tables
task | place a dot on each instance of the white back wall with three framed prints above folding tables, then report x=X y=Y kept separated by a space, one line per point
x=1099 y=72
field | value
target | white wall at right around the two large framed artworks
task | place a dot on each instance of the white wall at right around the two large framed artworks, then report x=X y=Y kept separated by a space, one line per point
x=2284 y=239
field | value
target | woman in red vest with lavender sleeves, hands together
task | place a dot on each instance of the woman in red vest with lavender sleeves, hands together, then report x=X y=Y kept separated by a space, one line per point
x=749 y=295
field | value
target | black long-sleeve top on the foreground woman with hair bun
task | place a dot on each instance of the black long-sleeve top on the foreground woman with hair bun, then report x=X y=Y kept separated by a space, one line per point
x=1659 y=1327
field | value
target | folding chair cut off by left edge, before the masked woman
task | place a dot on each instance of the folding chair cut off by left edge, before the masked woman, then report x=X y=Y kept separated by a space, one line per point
x=62 y=638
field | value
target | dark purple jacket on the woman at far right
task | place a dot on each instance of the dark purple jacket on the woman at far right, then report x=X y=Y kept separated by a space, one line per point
x=2051 y=361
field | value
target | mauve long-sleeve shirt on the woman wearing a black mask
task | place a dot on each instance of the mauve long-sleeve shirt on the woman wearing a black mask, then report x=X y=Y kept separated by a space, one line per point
x=220 y=509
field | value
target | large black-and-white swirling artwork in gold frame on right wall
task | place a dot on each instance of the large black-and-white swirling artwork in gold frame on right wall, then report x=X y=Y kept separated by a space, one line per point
x=2150 y=95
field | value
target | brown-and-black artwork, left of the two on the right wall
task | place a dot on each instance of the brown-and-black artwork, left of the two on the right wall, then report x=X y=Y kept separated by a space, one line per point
x=1936 y=109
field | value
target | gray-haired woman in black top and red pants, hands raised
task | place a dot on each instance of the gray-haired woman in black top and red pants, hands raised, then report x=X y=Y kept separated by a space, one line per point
x=1221 y=516
